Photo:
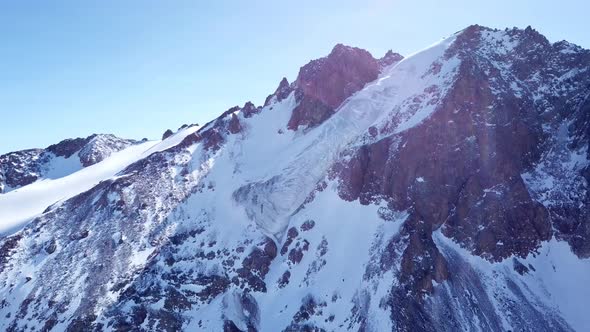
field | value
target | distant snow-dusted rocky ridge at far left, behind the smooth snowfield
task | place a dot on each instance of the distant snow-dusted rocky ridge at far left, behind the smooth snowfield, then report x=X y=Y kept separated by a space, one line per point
x=21 y=168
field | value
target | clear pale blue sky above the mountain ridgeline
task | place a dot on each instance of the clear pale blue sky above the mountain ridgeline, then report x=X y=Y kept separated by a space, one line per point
x=136 y=68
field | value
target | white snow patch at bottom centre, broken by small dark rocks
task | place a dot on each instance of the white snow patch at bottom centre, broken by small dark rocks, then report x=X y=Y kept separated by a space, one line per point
x=341 y=224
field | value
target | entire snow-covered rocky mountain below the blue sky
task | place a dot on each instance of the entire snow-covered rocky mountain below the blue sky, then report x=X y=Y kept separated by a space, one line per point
x=442 y=191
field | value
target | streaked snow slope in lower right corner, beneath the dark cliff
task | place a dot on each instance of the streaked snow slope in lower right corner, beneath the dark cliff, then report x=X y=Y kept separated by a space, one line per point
x=553 y=279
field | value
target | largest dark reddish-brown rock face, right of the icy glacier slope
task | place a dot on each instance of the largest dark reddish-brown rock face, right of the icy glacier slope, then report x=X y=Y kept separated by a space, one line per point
x=466 y=177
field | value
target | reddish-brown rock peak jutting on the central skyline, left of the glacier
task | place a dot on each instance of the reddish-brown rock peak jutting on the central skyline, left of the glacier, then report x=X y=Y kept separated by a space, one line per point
x=323 y=84
